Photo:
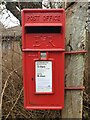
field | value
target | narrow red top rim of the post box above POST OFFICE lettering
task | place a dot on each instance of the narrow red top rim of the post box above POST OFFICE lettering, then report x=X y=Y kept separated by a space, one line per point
x=44 y=10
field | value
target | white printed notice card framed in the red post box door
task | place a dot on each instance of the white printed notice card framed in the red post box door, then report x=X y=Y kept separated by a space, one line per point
x=43 y=75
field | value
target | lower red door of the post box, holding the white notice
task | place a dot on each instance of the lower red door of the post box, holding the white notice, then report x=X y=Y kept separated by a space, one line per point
x=44 y=81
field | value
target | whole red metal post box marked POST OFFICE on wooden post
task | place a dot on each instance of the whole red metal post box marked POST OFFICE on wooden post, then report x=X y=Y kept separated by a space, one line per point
x=43 y=46
